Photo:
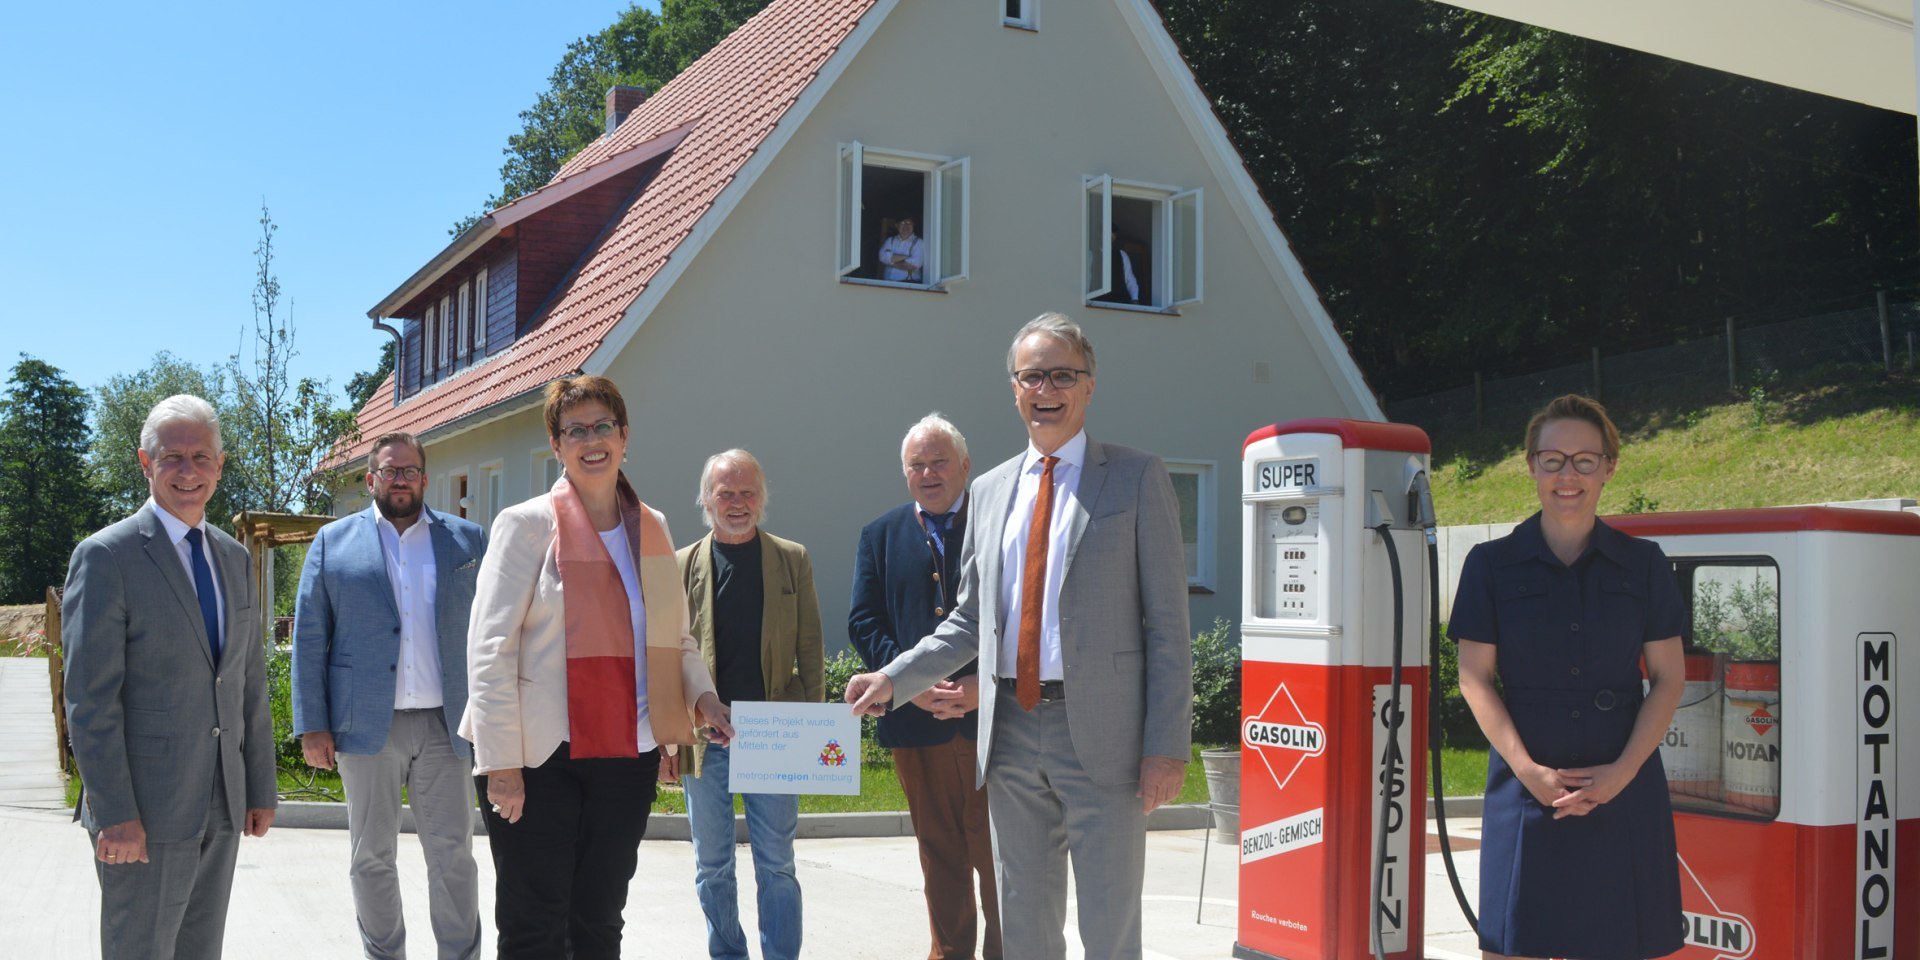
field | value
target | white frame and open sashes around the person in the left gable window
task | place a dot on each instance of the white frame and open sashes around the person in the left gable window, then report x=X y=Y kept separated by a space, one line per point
x=940 y=178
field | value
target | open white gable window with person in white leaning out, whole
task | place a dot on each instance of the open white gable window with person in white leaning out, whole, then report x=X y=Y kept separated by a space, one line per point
x=903 y=218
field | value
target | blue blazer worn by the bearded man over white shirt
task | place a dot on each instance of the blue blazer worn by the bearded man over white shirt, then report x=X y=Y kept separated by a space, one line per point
x=347 y=629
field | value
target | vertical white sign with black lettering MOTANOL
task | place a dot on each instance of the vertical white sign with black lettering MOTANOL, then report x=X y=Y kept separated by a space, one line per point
x=1877 y=804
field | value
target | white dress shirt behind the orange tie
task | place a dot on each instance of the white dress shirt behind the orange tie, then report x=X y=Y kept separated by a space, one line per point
x=1015 y=556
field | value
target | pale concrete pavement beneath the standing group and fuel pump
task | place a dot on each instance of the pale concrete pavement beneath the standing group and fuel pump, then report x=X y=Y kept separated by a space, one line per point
x=863 y=898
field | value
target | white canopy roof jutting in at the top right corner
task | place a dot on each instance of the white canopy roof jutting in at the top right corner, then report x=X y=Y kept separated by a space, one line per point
x=1850 y=49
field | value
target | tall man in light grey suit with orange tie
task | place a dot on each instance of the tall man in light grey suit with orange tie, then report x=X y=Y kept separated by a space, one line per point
x=1074 y=598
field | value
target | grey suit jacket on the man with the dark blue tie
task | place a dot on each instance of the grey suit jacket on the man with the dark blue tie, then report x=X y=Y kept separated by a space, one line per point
x=151 y=715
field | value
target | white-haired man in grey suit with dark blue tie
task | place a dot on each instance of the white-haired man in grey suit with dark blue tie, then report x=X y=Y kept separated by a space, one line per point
x=168 y=700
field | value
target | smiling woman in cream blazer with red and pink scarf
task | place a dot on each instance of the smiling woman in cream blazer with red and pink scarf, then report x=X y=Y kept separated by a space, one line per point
x=583 y=673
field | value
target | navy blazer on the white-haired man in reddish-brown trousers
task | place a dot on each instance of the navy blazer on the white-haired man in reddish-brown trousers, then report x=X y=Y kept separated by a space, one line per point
x=896 y=602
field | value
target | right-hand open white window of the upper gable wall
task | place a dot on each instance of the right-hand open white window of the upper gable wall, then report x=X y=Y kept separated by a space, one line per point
x=1143 y=245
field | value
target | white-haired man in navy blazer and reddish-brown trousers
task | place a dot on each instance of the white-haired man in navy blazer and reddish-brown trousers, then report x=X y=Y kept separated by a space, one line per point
x=907 y=575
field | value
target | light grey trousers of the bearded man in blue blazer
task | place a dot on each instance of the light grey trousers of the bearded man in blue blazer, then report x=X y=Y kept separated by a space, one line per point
x=441 y=792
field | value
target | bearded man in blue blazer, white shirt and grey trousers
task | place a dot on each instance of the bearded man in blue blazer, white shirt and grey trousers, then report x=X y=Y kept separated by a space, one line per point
x=381 y=686
